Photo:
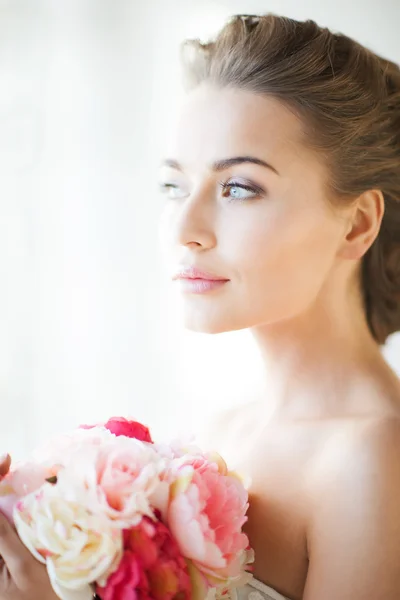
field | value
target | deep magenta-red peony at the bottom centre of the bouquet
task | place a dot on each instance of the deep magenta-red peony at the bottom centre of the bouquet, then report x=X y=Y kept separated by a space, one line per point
x=152 y=567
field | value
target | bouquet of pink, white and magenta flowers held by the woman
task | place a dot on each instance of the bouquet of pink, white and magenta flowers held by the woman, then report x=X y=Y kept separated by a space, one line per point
x=113 y=514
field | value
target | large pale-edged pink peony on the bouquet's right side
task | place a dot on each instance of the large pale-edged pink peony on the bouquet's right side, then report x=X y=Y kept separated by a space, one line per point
x=206 y=513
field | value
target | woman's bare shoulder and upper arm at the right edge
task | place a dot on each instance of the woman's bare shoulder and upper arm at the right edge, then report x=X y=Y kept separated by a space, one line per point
x=355 y=512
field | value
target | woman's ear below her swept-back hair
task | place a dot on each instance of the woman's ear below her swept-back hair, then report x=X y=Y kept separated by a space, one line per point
x=364 y=225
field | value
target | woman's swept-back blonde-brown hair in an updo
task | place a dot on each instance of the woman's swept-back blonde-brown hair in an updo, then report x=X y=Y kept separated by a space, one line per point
x=349 y=101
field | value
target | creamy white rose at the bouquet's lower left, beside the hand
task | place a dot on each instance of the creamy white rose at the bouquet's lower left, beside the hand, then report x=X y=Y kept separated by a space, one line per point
x=77 y=546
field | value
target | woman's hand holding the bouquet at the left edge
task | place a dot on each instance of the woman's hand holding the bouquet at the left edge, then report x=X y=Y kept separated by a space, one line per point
x=22 y=577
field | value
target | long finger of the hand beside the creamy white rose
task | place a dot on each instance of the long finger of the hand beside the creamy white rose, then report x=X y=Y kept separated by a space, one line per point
x=16 y=556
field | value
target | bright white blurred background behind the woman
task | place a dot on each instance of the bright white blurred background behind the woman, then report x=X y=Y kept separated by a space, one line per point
x=86 y=325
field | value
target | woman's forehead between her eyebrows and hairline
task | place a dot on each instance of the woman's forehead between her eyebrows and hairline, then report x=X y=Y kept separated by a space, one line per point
x=215 y=123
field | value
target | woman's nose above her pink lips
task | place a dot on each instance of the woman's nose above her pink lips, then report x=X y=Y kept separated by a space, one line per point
x=195 y=221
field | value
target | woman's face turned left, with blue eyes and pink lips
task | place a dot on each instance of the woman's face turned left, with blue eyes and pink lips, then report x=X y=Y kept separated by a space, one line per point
x=245 y=202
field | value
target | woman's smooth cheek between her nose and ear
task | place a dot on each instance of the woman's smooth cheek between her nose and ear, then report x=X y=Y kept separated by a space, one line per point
x=285 y=257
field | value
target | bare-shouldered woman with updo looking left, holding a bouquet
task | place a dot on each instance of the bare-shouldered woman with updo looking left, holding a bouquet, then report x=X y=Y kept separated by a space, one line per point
x=283 y=216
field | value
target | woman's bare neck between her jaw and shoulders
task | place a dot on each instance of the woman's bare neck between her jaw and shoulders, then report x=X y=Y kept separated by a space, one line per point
x=314 y=360
